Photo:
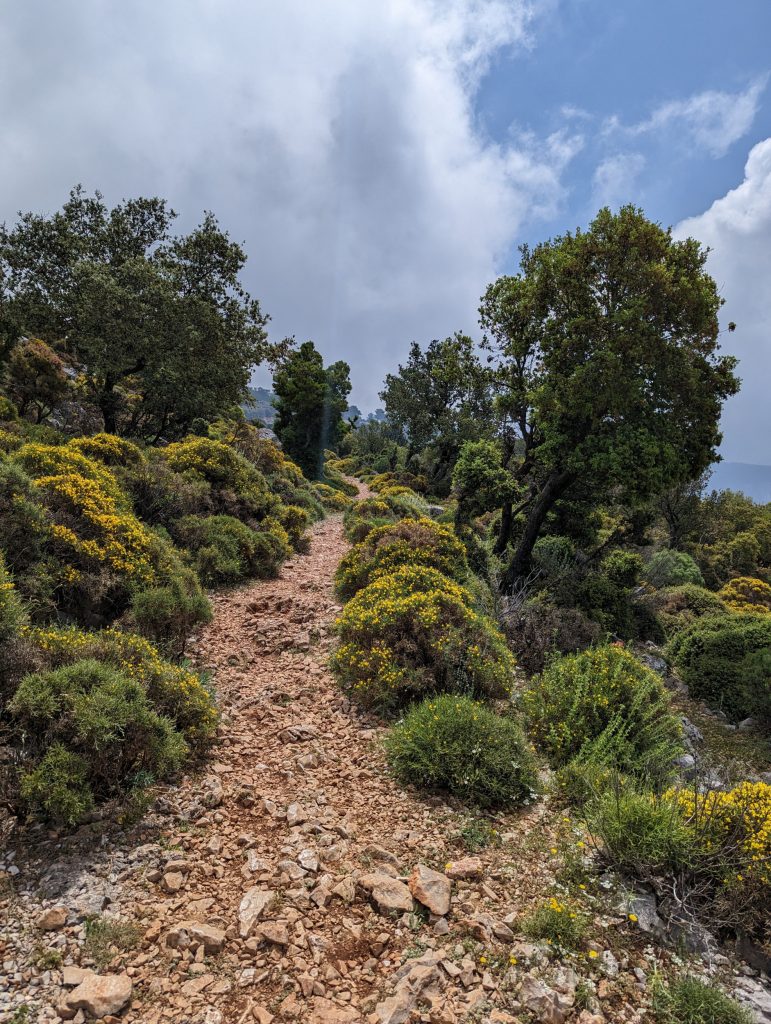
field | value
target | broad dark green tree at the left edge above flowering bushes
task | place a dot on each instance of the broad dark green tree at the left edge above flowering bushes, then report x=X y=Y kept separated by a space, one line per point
x=161 y=326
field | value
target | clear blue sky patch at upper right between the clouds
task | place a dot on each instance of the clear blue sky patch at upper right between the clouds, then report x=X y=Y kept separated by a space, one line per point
x=627 y=60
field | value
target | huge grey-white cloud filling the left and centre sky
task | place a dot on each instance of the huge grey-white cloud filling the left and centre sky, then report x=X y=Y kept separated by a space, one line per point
x=338 y=141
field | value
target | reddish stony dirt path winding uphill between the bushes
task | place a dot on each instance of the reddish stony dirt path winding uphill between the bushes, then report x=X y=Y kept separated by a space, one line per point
x=297 y=815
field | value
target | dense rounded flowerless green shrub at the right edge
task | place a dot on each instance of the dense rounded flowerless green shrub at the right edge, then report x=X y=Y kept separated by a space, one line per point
x=718 y=659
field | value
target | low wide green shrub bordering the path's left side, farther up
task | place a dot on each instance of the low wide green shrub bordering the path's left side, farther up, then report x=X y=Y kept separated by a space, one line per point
x=227 y=551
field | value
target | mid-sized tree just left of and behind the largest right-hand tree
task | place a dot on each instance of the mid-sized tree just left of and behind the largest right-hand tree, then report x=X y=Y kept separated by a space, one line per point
x=441 y=399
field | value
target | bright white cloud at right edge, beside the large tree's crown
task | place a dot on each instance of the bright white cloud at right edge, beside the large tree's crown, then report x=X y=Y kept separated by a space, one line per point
x=738 y=228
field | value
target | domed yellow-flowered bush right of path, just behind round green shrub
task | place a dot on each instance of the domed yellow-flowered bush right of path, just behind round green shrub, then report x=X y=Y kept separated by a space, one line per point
x=412 y=634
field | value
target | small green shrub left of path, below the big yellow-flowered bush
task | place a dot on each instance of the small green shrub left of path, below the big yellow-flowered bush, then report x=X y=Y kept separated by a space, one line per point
x=168 y=615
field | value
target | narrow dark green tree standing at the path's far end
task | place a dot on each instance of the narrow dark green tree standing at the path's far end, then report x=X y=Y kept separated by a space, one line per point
x=311 y=403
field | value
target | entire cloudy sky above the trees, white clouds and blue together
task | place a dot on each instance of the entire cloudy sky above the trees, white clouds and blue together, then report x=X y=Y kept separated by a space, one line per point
x=383 y=160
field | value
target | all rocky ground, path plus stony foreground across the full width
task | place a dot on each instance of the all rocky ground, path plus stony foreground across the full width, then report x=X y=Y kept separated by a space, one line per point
x=293 y=880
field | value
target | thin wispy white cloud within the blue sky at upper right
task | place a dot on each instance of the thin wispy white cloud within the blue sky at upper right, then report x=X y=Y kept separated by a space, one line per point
x=711 y=120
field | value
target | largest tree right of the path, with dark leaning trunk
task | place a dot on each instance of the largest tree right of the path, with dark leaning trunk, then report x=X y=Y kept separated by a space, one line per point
x=606 y=352
